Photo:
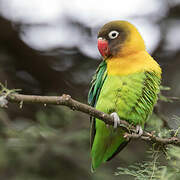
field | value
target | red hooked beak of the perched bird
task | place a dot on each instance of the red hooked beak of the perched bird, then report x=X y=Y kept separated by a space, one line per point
x=103 y=47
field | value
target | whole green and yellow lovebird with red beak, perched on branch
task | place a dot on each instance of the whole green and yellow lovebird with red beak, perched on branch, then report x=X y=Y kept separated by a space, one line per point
x=125 y=85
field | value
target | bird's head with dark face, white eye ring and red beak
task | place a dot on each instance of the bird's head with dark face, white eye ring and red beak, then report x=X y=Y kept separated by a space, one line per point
x=113 y=37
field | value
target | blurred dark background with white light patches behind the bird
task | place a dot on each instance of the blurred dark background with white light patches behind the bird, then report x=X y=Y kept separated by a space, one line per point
x=48 y=47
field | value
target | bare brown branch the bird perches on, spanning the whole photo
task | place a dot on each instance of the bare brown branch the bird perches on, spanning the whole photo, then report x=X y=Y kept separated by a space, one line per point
x=66 y=100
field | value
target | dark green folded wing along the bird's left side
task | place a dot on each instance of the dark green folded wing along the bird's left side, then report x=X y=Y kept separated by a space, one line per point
x=96 y=86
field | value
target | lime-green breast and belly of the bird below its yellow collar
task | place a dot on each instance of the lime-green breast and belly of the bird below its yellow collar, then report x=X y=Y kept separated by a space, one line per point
x=131 y=96
